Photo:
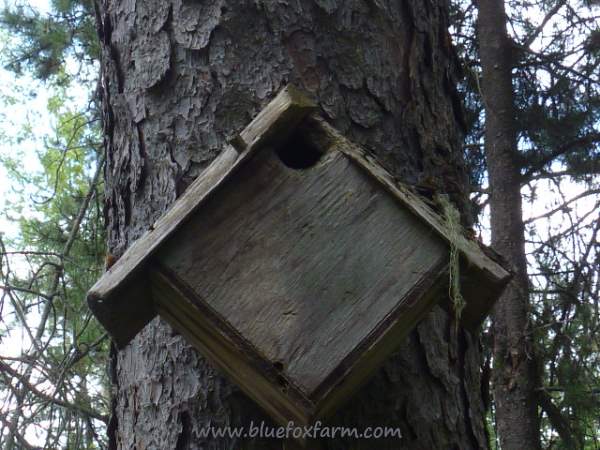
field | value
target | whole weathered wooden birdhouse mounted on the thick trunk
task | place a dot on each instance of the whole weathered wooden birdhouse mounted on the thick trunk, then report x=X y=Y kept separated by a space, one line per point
x=295 y=263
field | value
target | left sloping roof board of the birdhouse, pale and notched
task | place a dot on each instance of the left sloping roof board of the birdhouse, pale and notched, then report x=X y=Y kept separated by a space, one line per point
x=274 y=121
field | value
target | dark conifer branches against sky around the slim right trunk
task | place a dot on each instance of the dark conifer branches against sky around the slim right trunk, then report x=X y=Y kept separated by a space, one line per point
x=556 y=79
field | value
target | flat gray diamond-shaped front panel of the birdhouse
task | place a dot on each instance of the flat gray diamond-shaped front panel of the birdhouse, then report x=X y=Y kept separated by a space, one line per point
x=311 y=264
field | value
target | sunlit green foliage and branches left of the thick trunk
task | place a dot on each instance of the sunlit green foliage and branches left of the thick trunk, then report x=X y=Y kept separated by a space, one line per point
x=58 y=381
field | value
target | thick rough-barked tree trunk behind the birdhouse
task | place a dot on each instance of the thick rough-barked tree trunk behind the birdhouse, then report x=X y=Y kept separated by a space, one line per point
x=181 y=77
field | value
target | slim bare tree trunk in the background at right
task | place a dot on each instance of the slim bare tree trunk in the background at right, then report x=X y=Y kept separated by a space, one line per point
x=514 y=366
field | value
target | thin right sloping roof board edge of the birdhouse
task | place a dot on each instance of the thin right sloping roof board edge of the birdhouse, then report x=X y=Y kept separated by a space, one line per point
x=468 y=248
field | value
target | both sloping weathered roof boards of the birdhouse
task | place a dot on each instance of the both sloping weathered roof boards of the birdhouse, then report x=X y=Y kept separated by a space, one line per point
x=272 y=124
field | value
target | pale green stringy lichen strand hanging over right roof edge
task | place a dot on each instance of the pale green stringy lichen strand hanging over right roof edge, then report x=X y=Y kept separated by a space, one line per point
x=452 y=218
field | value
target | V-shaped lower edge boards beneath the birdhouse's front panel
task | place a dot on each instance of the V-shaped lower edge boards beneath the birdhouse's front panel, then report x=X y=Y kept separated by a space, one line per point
x=257 y=376
